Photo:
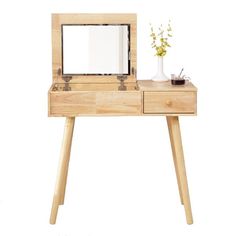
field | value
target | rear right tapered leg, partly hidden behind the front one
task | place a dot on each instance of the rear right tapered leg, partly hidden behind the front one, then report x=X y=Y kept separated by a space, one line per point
x=174 y=158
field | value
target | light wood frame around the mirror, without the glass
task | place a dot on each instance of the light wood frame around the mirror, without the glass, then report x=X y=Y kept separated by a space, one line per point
x=62 y=19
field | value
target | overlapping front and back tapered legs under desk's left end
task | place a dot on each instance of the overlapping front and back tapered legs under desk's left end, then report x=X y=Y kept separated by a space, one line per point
x=59 y=194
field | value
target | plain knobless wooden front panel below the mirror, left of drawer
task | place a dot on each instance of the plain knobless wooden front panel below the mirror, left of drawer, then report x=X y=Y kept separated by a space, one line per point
x=77 y=103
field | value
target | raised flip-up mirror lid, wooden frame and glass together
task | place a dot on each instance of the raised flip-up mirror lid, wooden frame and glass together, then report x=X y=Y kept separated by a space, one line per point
x=94 y=48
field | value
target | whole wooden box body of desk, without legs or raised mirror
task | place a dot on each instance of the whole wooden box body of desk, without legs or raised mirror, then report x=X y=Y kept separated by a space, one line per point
x=141 y=98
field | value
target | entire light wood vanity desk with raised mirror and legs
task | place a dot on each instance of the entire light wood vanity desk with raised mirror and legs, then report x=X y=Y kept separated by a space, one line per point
x=118 y=93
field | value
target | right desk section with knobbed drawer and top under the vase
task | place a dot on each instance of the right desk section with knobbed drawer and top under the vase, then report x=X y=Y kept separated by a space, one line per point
x=163 y=98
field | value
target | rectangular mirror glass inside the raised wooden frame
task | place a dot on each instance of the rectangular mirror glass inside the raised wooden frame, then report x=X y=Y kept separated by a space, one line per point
x=95 y=49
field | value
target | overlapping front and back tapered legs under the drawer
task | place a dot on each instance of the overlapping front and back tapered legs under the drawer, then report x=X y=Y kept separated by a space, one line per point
x=178 y=155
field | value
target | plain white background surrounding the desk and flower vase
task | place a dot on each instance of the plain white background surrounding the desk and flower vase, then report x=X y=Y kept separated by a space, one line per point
x=121 y=179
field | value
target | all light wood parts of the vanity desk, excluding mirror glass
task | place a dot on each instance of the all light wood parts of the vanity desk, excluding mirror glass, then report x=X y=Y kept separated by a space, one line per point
x=100 y=96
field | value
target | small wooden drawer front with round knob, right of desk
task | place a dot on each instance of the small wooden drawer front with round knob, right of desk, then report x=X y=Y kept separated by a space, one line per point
x=169 y=102
